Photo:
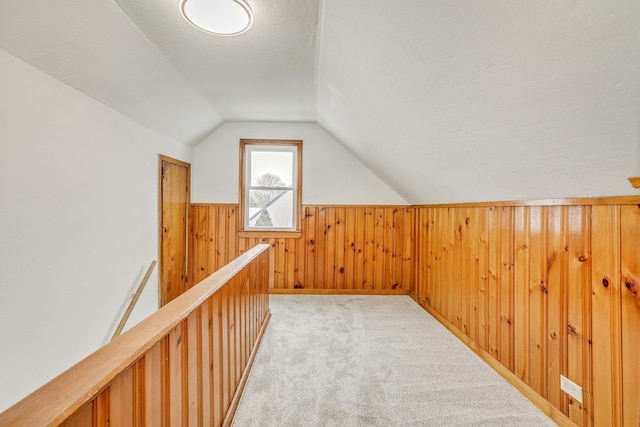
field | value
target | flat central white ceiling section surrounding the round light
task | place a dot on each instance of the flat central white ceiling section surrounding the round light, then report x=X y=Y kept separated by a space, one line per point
x=267 y=73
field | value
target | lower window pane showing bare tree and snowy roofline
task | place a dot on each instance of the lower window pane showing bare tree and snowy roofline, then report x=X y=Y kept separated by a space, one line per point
x=274 y=210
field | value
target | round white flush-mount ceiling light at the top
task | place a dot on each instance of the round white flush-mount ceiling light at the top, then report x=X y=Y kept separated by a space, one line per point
x=220 y=17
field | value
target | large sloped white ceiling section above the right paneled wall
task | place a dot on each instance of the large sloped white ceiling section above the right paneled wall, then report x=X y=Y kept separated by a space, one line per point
x=485 y=100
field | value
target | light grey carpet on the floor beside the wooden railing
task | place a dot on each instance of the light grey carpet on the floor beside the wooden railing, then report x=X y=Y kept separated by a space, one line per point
x=344 y=360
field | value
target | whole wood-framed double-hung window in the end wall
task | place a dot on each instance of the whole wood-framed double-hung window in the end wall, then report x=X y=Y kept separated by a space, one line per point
x=270 y=176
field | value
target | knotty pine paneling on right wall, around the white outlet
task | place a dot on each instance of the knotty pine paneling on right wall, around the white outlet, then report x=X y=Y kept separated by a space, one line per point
x=545 y=290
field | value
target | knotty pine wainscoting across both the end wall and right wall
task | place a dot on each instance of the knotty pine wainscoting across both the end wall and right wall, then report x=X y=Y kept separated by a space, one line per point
x=538 y=288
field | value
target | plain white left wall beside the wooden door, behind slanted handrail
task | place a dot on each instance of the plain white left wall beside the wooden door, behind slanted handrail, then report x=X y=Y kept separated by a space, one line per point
x=78 y=224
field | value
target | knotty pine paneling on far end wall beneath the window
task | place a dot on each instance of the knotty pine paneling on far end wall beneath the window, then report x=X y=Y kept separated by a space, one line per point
x=342 y=249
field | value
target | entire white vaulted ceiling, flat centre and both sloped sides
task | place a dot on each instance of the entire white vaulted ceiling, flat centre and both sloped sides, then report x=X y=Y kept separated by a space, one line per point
x=444 y=100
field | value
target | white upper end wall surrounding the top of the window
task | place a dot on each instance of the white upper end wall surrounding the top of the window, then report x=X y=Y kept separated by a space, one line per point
x=330 y=174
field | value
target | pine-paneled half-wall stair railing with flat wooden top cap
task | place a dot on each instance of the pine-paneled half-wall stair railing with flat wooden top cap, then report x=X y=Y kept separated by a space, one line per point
x=184 y=365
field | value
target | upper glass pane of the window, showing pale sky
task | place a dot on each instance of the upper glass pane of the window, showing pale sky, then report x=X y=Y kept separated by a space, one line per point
x=271 y=168
